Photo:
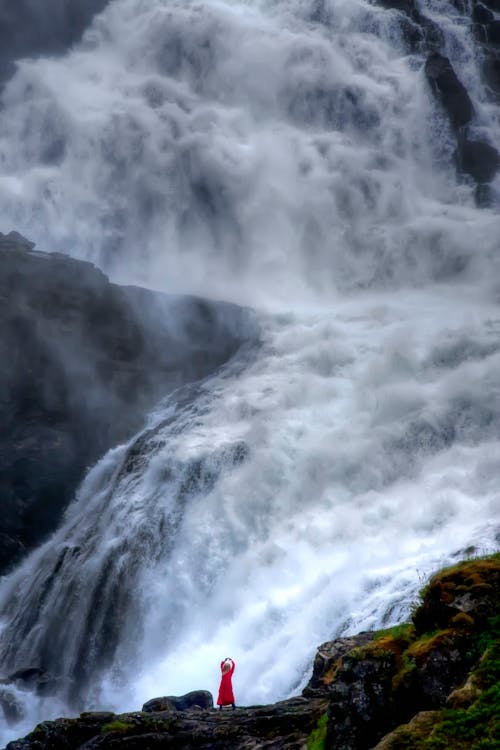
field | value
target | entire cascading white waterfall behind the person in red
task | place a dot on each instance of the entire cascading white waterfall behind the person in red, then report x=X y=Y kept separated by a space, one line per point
x=288 y=154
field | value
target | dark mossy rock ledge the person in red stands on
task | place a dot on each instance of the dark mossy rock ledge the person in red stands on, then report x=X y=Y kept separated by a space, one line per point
x=430 y=684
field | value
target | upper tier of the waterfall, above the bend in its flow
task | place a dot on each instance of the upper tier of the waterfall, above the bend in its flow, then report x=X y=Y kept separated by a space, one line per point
x=243 y=150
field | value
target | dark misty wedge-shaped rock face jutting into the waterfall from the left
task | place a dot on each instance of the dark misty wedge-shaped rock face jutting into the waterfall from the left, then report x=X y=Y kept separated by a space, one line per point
x=83 y=360
